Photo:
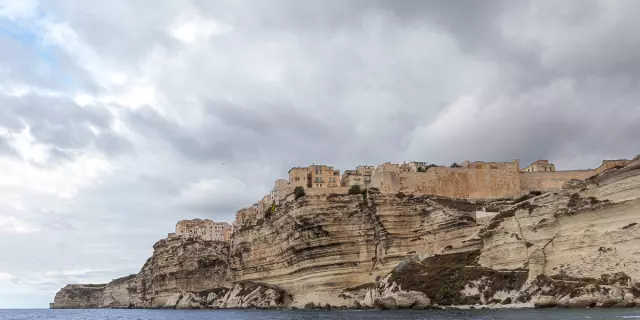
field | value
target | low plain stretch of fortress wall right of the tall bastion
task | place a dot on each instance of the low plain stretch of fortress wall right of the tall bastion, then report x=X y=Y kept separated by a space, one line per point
x=551 y=181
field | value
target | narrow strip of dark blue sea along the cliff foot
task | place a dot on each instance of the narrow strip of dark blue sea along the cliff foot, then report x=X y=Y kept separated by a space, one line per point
x=510 y=314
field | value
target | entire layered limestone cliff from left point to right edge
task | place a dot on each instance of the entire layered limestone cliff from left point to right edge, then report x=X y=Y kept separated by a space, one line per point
x=576 y=248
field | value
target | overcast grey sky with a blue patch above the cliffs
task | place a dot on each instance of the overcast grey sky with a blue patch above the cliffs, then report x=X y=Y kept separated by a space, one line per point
x=119 y=118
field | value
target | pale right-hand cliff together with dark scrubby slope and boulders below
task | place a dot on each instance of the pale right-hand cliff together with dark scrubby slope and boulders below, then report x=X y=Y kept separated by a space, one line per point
x=577 y=248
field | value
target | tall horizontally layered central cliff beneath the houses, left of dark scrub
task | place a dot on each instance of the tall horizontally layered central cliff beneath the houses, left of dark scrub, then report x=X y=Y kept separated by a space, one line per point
x=317 y=246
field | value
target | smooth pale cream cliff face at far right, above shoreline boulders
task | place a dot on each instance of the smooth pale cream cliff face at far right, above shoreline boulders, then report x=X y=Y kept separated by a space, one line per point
x=583 y=234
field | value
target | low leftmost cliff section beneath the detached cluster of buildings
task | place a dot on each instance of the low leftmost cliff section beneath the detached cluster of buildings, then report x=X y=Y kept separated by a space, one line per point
x=177 y=265
